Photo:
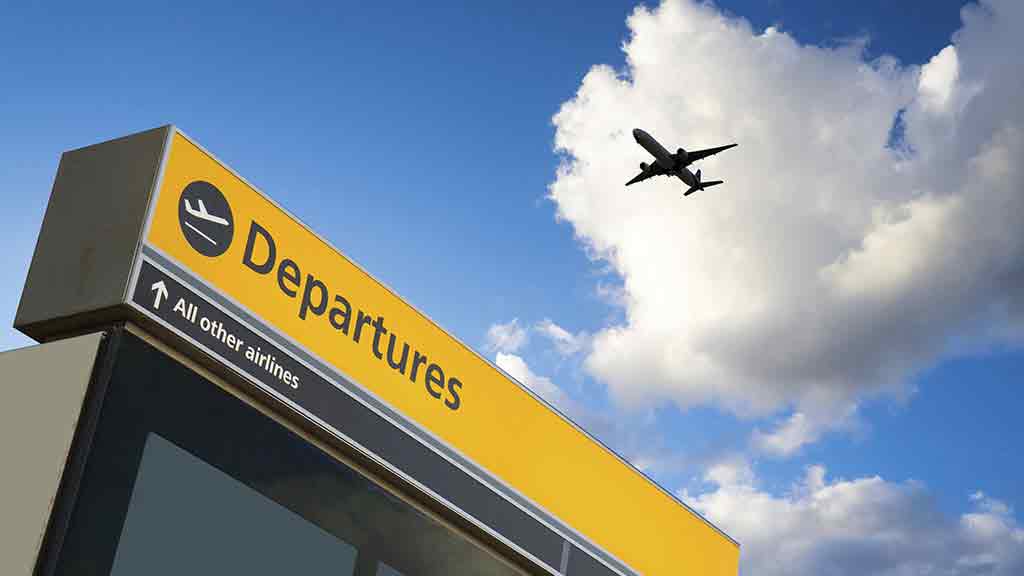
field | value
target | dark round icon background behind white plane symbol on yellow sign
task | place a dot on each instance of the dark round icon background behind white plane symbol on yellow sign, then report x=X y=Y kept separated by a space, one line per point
x=206 y=237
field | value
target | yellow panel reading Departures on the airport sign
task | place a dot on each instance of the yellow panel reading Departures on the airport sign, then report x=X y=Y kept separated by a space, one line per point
x=300 y=285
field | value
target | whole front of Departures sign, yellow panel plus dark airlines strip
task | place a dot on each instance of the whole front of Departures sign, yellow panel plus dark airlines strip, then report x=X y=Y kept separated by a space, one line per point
x=232 y=273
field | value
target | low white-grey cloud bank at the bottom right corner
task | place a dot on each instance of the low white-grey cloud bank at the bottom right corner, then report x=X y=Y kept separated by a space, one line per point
x=865 y=526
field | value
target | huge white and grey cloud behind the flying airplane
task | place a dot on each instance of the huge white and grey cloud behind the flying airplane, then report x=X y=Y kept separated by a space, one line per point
x=837 y=260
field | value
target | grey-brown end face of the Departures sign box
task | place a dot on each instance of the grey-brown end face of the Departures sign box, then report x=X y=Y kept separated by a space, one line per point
x=91 y=235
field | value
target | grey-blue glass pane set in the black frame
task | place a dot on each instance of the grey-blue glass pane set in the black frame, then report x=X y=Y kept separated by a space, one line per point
x=187 y=517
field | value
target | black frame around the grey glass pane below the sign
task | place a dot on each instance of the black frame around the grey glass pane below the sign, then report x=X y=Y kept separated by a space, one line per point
x=138 y=390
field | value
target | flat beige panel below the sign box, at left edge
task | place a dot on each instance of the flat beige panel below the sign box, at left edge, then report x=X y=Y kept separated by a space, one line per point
x=41 y=396
